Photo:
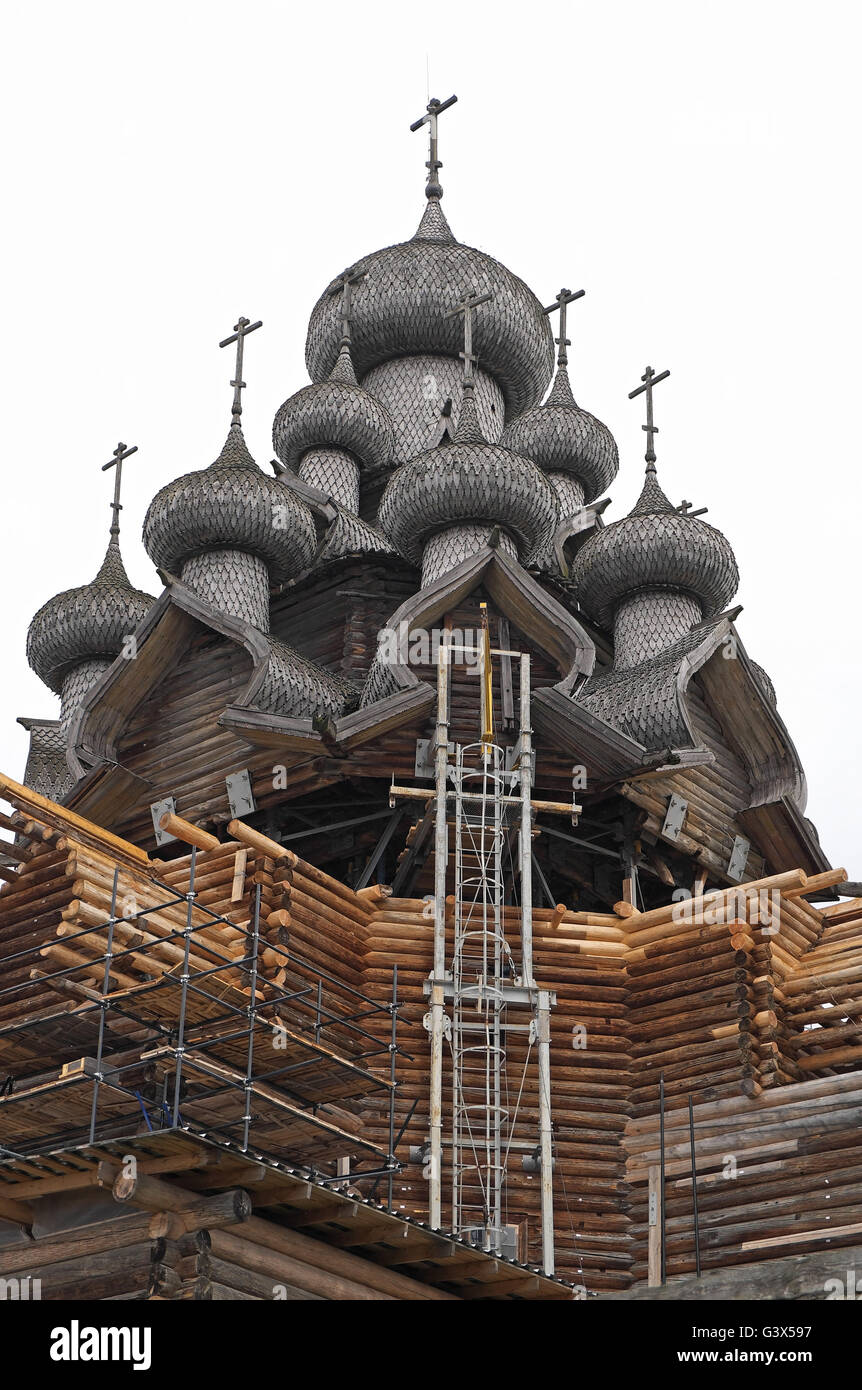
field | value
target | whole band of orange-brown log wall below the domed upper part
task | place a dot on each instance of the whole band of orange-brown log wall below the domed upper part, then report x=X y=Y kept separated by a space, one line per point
x=756 y=1014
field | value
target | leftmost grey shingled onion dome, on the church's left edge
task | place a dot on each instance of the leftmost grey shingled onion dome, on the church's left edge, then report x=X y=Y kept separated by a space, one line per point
x=88 y=623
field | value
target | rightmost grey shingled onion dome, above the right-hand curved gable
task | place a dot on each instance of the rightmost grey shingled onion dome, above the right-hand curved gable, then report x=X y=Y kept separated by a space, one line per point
x=656 y=547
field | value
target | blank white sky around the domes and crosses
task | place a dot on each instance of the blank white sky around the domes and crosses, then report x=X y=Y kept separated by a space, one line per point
x=172 y=166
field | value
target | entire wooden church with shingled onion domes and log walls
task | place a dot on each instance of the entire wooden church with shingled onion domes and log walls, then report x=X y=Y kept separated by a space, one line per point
x=234 y=919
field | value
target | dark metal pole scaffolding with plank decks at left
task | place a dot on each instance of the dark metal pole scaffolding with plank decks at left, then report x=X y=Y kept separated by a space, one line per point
x=202 y=1039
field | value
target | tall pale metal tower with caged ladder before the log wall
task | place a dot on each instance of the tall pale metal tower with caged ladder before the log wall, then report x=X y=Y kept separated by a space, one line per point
x=482 y=799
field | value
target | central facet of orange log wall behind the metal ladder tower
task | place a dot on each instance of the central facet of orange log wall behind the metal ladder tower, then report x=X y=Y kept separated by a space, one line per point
x=582 y=958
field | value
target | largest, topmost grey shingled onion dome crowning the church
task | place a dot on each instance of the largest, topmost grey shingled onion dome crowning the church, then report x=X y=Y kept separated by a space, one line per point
x=398 y=312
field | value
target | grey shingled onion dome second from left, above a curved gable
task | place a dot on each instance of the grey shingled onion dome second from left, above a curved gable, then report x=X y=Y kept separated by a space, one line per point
x=230 y=505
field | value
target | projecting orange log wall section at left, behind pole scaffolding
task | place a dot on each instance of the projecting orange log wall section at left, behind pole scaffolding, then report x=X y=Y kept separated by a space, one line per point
x=159 y=929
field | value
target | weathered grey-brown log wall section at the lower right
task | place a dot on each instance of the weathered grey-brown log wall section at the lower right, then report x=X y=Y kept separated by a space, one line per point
x=776 y=1175
